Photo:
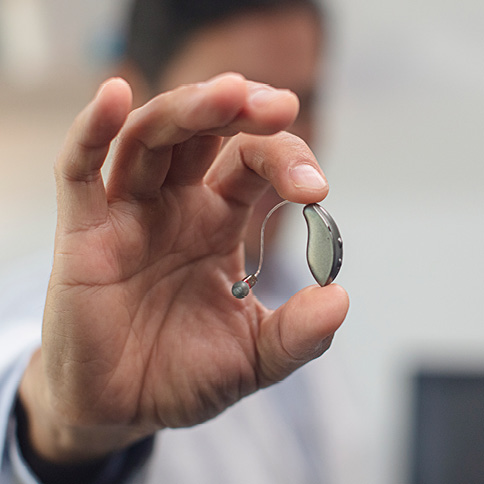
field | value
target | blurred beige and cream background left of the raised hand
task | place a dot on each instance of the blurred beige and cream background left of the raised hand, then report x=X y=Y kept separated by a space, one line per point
x=53 y=54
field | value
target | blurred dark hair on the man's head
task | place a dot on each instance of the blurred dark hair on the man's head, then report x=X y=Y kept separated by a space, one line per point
x=157 y=29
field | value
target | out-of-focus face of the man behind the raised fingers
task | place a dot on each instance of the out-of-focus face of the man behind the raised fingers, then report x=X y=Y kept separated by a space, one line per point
x=281 y=48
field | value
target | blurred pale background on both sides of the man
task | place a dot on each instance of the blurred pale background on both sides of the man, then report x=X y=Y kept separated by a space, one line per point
x=403 y=122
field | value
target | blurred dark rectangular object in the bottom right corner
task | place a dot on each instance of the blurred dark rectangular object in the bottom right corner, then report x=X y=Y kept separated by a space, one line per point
x=448 y=427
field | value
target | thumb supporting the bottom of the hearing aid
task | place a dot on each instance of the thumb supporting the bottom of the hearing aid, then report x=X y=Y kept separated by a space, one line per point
x=300 y=330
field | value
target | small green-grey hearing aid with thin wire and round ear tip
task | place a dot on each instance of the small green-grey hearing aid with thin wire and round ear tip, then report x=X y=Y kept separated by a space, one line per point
x=324 y=249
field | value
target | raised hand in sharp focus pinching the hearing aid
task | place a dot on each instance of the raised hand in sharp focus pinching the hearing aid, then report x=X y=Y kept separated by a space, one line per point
x=141 y=331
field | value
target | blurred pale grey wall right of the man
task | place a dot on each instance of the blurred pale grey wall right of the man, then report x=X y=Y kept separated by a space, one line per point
x=406 y=168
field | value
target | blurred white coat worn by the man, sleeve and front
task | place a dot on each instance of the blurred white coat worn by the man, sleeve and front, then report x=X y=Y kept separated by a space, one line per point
x=305 y=430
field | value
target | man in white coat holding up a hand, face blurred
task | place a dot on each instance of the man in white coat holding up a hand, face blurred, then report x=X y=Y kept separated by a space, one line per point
x=140 y=333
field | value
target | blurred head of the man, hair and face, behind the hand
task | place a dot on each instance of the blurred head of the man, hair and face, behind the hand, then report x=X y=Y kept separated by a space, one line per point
x=279 y=43
